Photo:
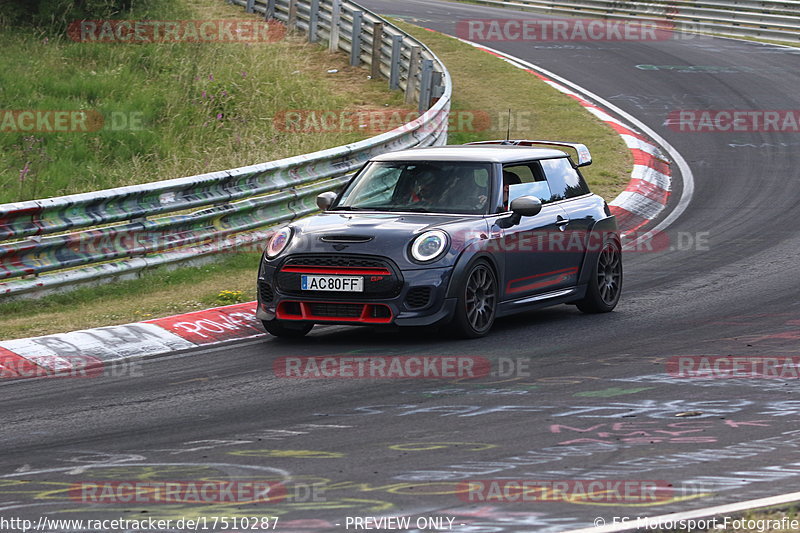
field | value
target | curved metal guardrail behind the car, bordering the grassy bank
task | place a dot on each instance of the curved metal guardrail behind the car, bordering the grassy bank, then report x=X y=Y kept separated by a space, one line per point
x=125 y=230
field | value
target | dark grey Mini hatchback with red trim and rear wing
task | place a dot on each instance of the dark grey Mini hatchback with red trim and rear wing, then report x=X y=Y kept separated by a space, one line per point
x=454 y=235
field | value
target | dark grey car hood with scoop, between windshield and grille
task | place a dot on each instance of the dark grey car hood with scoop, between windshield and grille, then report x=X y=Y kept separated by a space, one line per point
x=384 y=234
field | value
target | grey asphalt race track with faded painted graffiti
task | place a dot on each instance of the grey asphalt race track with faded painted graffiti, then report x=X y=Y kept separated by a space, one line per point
x=579 y=397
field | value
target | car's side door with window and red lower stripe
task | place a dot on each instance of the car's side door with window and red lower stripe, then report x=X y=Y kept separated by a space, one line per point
x=531 y=266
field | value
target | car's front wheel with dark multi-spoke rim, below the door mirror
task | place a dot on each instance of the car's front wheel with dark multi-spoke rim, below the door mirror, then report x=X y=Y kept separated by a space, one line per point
x=477 y=301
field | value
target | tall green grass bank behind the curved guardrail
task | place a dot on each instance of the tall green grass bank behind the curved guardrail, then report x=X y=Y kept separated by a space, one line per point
x=199 y=107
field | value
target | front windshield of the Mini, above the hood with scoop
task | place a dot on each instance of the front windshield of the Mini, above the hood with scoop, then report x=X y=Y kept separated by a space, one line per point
x=420 y=186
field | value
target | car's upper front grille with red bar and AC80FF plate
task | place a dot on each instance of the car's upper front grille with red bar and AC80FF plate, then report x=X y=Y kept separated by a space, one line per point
x=381 y=278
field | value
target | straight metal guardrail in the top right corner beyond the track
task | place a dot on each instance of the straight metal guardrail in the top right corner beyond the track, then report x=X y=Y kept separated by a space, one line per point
x=777 y=20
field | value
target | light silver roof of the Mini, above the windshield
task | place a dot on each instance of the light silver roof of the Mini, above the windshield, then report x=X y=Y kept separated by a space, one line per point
x=494 y=153
